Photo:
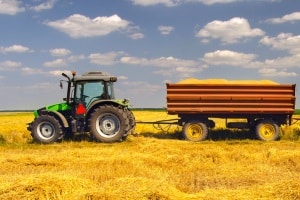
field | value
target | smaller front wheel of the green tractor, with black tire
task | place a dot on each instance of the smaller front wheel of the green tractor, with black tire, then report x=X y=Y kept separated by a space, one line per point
x=46 y=129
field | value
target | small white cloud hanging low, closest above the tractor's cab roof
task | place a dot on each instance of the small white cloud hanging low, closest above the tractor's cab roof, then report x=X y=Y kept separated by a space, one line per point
x=109 y=58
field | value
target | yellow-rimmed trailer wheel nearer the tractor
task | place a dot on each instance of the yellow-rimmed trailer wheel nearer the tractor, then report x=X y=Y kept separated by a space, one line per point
x=195 y=131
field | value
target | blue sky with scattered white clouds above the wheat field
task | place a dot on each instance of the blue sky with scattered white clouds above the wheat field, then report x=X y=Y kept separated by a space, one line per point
x=145 y=43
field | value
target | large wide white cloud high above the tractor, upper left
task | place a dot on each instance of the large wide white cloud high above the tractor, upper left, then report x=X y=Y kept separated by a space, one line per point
x=79 y=26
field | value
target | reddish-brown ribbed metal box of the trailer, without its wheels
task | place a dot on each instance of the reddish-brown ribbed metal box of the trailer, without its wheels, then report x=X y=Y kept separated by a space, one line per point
x=230 y=98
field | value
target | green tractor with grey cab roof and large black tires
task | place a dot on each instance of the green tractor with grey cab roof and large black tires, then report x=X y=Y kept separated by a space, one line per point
x=90 y=106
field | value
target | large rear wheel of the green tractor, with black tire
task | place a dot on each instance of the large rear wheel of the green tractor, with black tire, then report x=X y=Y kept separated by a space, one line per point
x=108 y=124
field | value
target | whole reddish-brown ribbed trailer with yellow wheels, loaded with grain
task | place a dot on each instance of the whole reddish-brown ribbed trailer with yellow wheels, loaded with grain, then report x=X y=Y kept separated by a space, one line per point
x=263 y=106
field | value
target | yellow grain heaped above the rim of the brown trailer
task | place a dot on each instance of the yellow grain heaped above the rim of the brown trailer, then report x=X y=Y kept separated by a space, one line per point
x=224 y=81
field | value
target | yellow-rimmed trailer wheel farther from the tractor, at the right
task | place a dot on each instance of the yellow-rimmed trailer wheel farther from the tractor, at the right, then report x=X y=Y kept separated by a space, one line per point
x=267 y=130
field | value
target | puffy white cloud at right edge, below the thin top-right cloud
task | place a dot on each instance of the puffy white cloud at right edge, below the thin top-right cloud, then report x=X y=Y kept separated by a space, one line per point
x=283 y=41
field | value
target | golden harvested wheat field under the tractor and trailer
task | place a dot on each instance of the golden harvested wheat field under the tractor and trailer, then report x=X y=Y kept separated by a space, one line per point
x=150 y=164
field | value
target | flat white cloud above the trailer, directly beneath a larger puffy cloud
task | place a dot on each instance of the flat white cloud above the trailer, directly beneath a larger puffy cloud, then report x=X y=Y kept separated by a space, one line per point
x=226 y=57
